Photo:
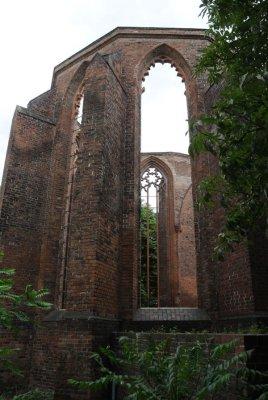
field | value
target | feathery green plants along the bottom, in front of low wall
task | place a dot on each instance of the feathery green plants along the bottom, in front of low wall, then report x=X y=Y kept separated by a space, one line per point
x=192 y=372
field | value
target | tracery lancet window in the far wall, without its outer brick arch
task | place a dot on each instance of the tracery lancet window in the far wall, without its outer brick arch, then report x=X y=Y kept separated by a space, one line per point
x=153 y=194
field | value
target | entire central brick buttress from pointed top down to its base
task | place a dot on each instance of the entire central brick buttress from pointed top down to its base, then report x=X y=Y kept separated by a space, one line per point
x=90 y=298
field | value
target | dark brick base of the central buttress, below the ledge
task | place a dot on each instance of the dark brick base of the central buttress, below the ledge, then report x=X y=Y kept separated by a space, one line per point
x=62 y=349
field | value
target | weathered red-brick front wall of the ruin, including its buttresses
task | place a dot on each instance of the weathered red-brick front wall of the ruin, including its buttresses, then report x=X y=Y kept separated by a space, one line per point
x=98 y=272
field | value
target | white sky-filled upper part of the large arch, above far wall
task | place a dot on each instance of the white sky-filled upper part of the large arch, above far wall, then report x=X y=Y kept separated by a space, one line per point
x=164 y=119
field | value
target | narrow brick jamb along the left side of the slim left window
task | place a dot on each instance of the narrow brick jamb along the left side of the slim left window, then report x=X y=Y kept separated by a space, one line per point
x=51 y=249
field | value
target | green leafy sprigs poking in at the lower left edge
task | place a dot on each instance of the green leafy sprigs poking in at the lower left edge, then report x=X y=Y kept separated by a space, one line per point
x=13 y=314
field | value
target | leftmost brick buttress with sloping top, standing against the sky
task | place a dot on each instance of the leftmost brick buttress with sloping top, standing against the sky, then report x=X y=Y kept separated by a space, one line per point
x=24 y=190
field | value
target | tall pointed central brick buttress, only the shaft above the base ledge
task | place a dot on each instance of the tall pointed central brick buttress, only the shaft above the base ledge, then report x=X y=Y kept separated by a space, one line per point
x=94 y=234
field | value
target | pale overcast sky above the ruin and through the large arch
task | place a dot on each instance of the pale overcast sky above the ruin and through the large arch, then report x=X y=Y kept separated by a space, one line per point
x=36 y=35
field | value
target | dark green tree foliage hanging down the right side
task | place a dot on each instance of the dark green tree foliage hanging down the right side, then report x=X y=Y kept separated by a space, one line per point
x=235 y=131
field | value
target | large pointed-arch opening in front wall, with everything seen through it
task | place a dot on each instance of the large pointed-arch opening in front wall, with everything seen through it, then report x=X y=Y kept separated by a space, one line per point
x=167 y=234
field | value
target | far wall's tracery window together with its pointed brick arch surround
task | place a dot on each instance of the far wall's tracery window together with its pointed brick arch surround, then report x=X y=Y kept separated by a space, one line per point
x=158 y=259
